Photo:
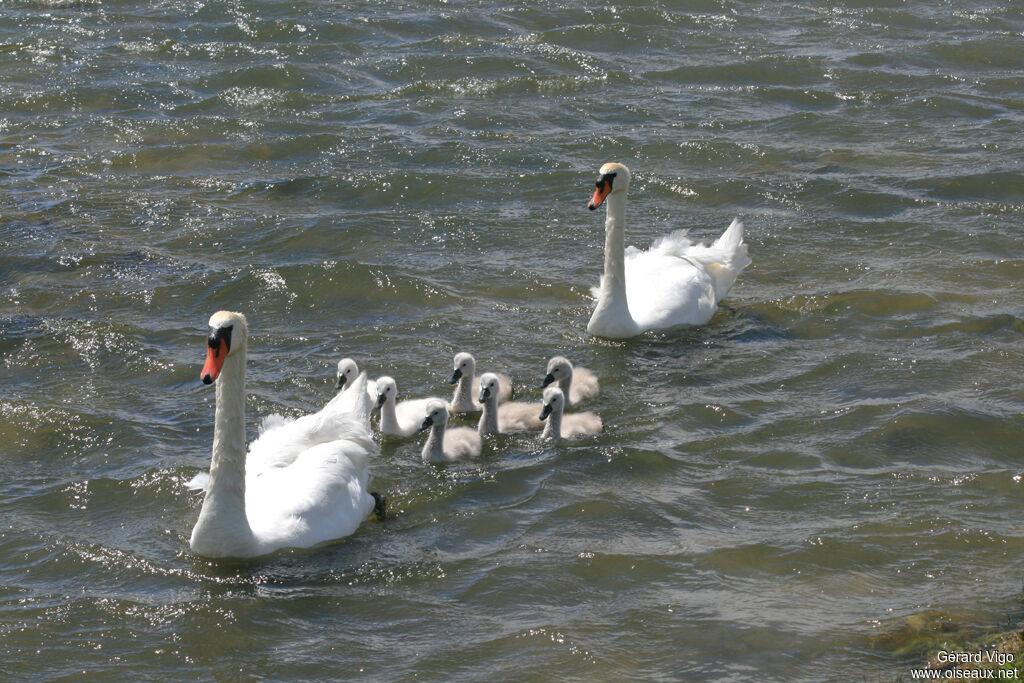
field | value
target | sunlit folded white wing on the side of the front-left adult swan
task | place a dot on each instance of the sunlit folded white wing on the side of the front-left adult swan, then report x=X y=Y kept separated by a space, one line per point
x=322 y=496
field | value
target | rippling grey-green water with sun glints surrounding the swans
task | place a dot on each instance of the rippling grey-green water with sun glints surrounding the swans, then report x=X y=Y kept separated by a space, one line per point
x=783 y=494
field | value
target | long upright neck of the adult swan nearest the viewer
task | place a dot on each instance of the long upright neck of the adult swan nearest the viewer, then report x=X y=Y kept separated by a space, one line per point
x=223 y=529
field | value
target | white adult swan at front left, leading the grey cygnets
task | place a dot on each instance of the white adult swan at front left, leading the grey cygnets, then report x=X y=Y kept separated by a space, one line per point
x=304 y=483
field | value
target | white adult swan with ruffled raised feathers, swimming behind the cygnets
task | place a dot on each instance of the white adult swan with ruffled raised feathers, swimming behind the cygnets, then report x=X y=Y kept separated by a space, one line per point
x=675 y=283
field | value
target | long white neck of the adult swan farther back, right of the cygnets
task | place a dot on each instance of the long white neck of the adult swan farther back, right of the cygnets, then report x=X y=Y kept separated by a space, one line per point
x=612 y=317
